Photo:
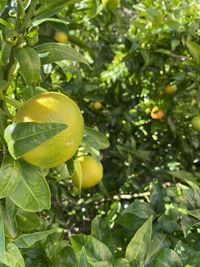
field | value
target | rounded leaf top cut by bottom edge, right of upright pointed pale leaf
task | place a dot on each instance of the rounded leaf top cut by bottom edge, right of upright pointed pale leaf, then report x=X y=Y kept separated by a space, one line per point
x=167 y=258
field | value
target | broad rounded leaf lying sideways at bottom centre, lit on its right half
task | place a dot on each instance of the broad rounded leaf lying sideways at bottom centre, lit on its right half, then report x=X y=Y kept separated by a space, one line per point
x=93 y=247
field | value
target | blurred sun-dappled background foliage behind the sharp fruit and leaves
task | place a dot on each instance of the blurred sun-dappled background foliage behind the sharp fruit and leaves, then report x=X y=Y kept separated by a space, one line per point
x=134 y=52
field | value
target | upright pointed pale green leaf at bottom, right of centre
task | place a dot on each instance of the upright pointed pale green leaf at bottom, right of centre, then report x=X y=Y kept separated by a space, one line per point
x=139 y=245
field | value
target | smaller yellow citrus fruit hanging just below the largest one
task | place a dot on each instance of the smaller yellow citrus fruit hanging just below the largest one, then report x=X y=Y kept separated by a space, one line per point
x=92 y=172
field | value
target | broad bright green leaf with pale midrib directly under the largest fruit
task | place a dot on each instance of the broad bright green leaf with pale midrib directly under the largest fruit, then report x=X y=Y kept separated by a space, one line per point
x=32 y=193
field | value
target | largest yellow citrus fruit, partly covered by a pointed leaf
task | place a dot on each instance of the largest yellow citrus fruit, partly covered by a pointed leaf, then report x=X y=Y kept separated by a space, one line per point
x=53 y=107
